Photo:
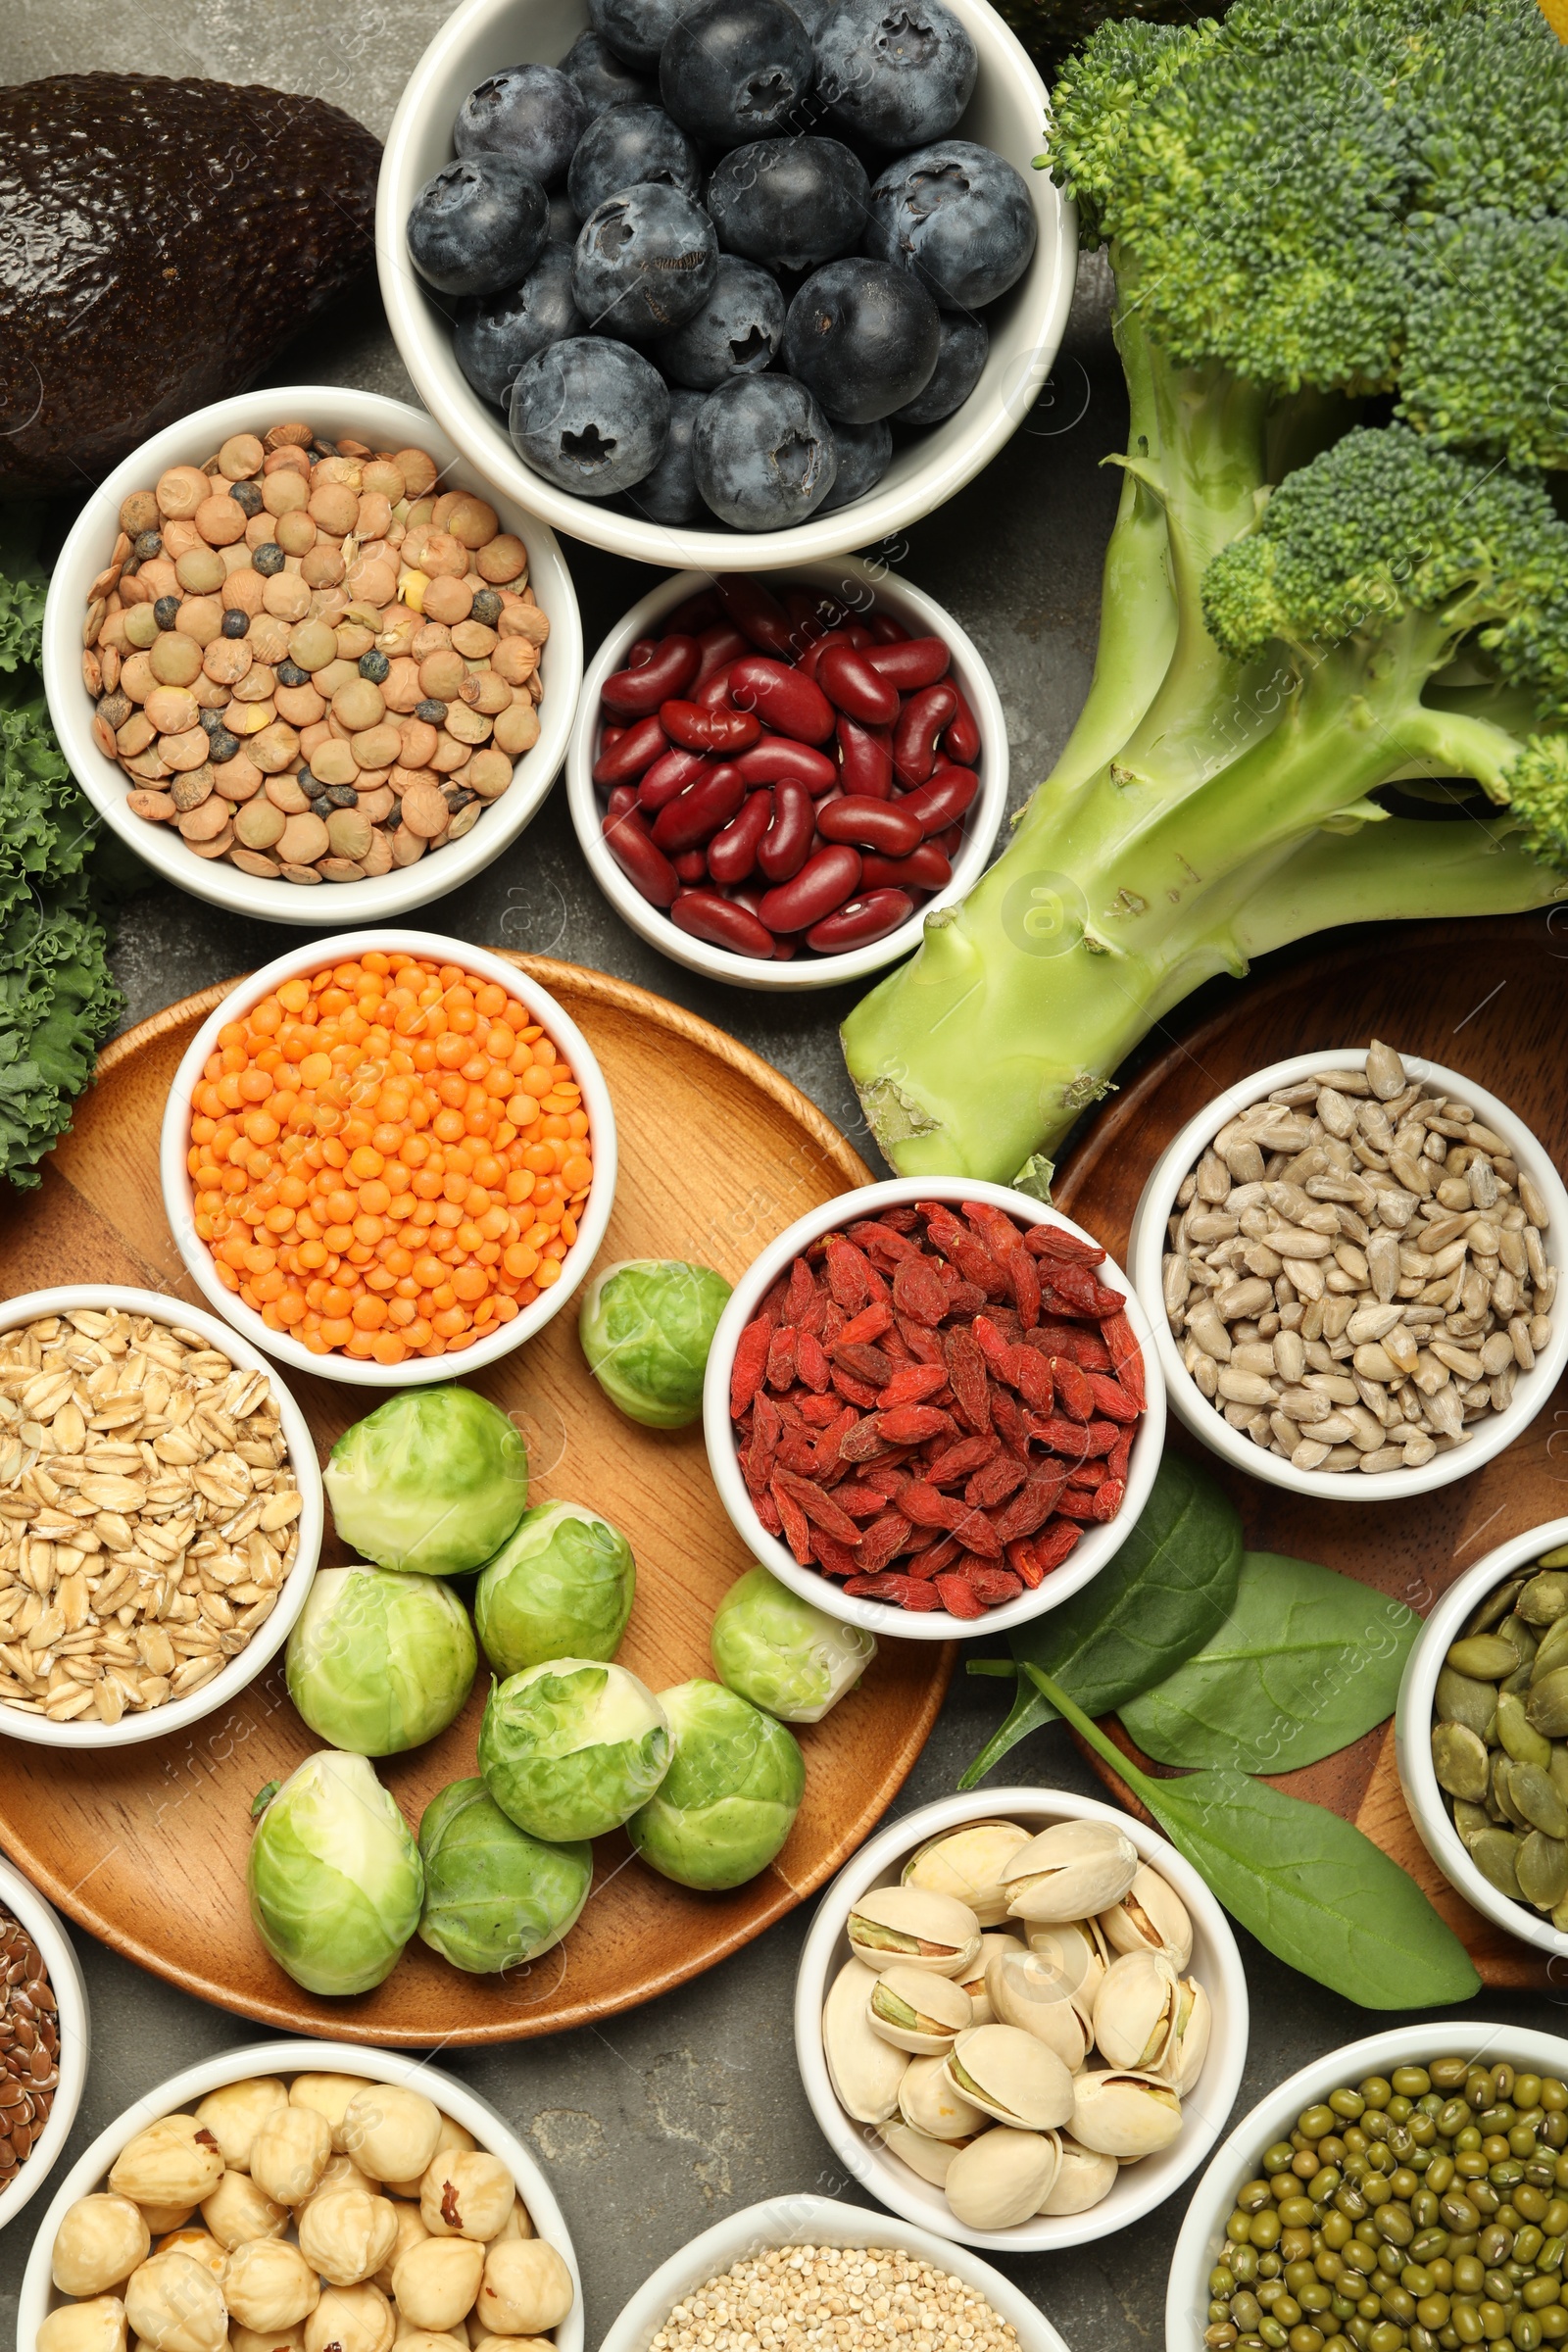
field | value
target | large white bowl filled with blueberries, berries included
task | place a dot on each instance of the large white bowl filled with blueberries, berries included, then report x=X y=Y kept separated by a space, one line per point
x=725 y=283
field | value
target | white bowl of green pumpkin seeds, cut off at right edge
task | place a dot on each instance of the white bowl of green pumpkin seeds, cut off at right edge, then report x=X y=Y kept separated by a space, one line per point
x=1482 y=1737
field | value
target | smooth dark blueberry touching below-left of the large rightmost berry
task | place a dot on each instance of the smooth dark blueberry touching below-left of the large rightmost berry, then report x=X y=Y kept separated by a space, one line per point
x=864 y=338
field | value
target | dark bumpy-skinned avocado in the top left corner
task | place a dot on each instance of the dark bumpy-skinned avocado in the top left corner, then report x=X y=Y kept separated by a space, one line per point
x=159 y=241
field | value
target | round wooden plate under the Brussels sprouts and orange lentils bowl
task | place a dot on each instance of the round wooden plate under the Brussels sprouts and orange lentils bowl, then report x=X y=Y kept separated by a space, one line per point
x=147 y=1850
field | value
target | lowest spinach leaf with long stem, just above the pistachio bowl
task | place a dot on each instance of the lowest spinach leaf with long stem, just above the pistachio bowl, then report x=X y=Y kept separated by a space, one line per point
x=1311 y=1887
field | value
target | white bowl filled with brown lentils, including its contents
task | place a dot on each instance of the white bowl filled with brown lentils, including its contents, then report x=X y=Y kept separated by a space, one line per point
x=307 y=664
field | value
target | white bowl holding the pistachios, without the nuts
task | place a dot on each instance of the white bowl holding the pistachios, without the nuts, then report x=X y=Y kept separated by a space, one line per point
x=1139 y=2186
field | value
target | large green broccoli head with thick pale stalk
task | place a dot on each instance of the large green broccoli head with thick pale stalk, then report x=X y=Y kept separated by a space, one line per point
x=1336 y=596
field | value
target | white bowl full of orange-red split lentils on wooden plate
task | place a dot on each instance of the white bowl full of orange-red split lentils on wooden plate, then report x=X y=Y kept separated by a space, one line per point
x=389 y=1158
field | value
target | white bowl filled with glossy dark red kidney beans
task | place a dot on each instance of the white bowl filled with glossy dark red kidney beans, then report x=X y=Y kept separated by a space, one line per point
x=779 y=780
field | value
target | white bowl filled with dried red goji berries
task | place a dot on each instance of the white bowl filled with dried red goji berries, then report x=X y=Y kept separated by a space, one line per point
x=934 y=1403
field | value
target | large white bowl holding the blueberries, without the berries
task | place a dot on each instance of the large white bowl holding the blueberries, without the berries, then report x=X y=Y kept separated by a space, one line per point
x=1005 y=114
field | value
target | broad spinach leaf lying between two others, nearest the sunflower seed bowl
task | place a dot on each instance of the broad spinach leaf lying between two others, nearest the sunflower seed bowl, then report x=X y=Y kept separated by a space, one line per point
x=1304 y=1664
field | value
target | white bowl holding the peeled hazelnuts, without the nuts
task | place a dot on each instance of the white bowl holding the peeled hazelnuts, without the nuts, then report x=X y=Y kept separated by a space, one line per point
x=192 y=2085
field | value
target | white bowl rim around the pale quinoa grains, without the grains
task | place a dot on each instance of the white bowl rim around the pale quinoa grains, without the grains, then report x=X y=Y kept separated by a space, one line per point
x=815 y=2221
